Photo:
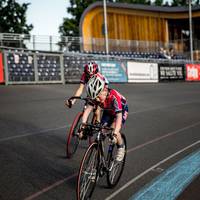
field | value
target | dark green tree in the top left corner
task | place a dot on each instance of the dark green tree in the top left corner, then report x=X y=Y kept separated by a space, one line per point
x=13 y=17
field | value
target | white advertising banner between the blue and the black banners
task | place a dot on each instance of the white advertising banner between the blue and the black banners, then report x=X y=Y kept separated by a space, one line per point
x=142 y=72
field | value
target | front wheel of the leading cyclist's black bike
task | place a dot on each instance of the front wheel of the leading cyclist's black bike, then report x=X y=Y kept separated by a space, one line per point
x=88 y=173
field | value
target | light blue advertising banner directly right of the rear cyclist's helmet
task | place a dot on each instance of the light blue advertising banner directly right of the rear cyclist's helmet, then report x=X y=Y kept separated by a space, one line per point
x=113 y=71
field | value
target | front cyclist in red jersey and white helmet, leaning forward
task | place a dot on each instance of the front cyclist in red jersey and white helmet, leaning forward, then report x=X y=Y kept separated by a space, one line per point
x=115 y=109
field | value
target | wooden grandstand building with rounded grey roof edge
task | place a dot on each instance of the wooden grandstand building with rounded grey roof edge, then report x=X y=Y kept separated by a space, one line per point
x=132 y=22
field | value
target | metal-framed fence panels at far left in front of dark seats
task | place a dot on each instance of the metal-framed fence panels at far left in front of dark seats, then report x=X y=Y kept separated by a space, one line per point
x=27 y=67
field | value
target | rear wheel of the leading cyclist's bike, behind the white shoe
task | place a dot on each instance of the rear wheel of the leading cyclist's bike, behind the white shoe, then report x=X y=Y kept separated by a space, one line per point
x=115 y=167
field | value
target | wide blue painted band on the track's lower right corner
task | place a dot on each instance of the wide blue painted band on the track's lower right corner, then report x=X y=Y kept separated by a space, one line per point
x=172 y=182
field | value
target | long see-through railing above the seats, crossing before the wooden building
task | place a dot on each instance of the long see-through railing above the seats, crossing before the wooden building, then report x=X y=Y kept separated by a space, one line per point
x=91 y=45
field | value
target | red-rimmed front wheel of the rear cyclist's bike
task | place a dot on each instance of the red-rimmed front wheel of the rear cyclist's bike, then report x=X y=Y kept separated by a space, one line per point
x=73 y=139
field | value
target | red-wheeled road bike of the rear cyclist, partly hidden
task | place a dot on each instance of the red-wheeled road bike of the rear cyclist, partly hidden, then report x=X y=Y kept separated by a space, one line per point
x=73 y=139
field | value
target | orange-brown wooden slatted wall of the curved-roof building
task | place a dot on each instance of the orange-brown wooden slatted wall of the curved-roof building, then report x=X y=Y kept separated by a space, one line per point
x=127 y=24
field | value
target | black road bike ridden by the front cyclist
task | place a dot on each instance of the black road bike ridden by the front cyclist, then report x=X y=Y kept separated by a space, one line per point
x=99 y=160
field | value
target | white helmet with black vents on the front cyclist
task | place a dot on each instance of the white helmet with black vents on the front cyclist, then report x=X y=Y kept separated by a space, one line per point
x=95 y=85
